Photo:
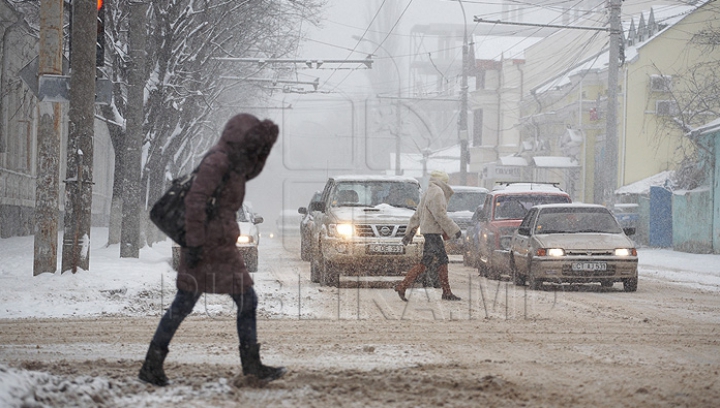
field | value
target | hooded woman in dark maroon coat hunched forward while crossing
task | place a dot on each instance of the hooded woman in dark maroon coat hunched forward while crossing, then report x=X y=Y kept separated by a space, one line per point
x=210 y=263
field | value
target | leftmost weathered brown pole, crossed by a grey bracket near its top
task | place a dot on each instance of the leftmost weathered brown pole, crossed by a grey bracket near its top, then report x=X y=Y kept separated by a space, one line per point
x=47 y=189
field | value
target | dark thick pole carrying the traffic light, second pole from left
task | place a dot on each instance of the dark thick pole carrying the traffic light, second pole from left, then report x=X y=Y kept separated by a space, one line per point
x=78 y=182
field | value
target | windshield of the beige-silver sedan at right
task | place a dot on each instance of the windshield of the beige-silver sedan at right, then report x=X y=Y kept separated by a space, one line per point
x=576 y=220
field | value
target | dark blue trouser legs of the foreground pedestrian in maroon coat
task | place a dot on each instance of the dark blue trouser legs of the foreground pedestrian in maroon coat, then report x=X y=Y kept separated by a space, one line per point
x=185 y=301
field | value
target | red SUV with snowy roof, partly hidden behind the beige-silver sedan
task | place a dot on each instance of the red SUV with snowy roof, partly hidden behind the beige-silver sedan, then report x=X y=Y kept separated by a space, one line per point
x=501 y=214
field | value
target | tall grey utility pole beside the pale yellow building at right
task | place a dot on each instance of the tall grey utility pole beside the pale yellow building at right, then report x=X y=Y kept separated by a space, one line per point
x=611 y=144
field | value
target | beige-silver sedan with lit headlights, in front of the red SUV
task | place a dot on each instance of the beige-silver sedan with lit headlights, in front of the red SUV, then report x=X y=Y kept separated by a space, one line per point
x=573 y=243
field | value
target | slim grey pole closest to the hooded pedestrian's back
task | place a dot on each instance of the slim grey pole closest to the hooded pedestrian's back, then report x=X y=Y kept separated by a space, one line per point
x=132 y=161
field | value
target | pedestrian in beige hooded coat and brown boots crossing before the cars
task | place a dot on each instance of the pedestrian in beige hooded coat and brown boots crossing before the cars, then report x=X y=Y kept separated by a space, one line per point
x=435 y=225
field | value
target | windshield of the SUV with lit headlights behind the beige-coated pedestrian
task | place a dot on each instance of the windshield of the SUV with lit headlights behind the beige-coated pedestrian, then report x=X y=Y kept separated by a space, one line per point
x=373 y=193
